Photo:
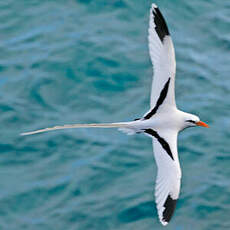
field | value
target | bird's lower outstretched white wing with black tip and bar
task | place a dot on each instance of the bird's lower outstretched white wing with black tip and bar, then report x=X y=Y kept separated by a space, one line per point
x=168 y=175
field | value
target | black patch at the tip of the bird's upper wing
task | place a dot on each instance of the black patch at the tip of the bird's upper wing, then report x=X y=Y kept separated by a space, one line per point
x=161 y=26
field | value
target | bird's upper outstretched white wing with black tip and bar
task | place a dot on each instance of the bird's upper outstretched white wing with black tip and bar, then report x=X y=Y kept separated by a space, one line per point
x=163 y=59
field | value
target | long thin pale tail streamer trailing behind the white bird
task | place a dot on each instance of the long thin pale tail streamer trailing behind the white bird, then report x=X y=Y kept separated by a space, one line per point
x=103 y=125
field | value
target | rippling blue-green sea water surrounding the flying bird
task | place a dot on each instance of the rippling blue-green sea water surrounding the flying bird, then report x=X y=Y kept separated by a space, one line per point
x=80 y=61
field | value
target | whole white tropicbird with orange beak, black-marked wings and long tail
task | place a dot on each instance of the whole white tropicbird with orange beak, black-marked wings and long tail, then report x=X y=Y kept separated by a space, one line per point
x=162 y=122
